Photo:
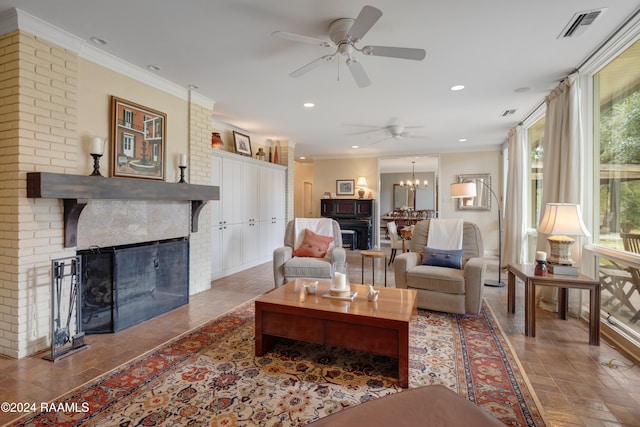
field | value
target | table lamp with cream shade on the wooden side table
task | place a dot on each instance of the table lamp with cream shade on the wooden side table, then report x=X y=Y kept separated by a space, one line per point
x=559 y=221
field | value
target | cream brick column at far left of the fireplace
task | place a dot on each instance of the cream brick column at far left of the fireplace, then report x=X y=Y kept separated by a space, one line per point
x=38 y=132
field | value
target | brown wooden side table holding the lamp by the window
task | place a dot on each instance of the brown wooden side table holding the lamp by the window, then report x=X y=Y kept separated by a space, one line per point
x=525 y=272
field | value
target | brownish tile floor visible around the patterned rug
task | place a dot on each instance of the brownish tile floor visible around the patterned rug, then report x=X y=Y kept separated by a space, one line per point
x=572 y=379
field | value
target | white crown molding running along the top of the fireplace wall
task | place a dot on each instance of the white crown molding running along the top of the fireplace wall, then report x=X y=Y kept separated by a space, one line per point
x=16 y=19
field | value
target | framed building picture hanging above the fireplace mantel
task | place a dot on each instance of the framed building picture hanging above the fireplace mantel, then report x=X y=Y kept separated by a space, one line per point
x=137 y=140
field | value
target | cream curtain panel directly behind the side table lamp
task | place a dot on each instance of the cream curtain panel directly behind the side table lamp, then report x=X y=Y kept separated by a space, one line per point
x=561 y=164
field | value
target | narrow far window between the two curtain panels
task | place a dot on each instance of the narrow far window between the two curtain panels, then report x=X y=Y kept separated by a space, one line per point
x=535 y=138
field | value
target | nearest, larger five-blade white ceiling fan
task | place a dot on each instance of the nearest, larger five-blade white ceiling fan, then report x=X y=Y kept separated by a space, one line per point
x=345 y=33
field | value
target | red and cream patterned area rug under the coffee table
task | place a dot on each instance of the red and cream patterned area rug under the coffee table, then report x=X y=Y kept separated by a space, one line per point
x=211 y=377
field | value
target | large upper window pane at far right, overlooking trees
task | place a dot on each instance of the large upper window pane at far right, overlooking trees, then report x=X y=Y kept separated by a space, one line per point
x=617 y=137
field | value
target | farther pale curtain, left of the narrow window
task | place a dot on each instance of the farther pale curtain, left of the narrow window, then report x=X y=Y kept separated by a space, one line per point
x=515 y=227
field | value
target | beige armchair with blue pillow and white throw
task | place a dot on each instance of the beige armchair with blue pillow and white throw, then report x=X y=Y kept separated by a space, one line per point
x=445 y=289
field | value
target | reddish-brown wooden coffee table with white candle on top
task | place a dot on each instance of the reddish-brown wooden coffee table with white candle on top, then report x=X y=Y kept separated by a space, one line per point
x=380 y=327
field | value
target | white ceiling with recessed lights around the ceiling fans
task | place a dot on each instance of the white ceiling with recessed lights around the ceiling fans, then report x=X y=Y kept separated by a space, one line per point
x=493 y=47
